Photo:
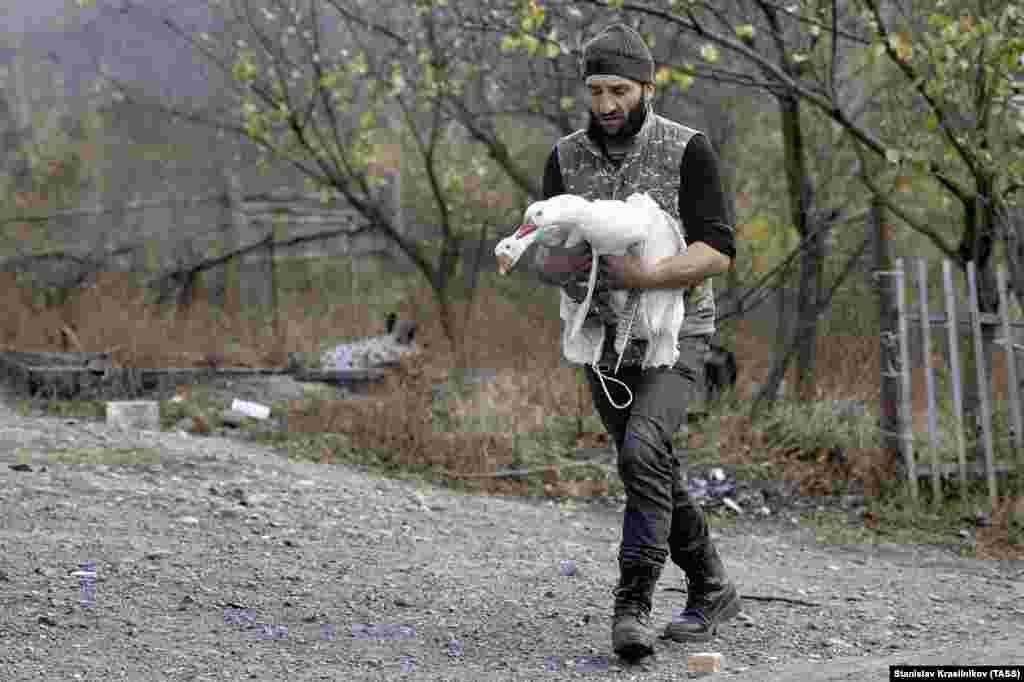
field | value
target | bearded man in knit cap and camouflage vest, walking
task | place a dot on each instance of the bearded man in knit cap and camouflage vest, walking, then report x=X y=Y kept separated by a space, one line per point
x=627 y=148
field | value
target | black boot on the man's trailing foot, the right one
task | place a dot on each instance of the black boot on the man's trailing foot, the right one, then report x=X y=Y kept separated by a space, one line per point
x=712 y=599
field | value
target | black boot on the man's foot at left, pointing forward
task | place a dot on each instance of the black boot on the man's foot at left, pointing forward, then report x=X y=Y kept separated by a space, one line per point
x=631 y=634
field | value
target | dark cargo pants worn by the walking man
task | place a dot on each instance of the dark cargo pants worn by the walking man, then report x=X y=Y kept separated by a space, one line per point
x=661 y=518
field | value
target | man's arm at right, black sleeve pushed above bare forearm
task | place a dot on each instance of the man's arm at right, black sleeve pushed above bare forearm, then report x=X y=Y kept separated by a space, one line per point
x=708 y=221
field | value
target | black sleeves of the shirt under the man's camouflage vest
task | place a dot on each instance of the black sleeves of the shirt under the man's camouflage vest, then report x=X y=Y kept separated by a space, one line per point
x=703 y=205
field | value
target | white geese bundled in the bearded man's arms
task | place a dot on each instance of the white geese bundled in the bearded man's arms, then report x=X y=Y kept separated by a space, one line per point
x=611 y=227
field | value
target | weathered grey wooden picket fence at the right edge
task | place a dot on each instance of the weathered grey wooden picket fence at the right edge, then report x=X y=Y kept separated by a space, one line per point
x=897 y=362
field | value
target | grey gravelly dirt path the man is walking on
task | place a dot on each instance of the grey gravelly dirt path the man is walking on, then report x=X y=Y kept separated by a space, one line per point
x=218 y=560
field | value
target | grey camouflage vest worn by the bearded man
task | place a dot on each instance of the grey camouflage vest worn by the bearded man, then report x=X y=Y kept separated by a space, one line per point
x=652 y=166
